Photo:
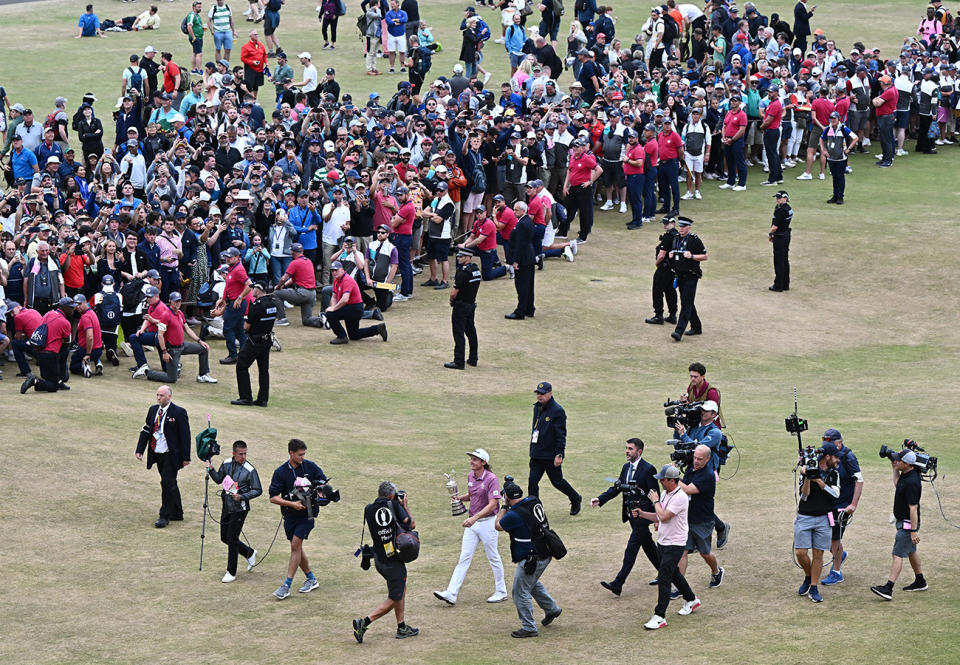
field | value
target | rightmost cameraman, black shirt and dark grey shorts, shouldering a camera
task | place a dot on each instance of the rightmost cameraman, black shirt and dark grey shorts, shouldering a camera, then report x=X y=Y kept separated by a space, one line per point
x=906 y=515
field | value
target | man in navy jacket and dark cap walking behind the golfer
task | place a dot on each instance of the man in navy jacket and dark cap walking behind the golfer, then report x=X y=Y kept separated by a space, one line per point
x=548 y=442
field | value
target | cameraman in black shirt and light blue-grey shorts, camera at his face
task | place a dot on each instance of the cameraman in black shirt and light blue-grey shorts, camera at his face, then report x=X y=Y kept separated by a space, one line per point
x=811 y=529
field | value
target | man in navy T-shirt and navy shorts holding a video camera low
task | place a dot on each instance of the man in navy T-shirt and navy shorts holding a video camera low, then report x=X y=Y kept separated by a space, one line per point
x=297 y=523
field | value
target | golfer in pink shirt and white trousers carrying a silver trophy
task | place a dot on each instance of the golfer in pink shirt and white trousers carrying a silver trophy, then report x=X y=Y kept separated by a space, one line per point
x=483 y=494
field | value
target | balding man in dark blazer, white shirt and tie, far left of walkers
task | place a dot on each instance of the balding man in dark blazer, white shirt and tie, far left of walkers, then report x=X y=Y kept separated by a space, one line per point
x=166 y=439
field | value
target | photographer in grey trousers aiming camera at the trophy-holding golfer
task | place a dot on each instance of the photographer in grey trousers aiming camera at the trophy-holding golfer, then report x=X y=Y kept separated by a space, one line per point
x=531 y=560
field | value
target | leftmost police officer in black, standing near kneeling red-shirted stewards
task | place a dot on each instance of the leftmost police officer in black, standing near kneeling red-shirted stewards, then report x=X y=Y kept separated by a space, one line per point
x=258 y=326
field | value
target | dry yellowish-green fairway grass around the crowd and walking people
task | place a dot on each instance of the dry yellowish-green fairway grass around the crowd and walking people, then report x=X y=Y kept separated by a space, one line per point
x=867 y=334
